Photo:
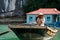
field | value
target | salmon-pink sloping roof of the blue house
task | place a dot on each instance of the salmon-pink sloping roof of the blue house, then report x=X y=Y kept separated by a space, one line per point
x=45 y=11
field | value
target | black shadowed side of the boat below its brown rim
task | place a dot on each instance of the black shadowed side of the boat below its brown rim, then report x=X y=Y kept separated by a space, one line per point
x=29 y=34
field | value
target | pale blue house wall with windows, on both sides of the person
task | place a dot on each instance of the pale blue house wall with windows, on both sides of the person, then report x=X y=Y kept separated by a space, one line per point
x=47 y=20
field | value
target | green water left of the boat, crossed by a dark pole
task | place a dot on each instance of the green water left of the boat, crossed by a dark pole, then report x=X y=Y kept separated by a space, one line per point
x=8 y=36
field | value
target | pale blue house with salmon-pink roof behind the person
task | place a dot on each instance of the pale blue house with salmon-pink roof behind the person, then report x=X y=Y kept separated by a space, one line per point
x=51 y=16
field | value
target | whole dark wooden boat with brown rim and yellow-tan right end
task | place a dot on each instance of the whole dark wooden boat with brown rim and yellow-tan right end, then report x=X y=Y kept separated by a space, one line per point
x=22 y=30
